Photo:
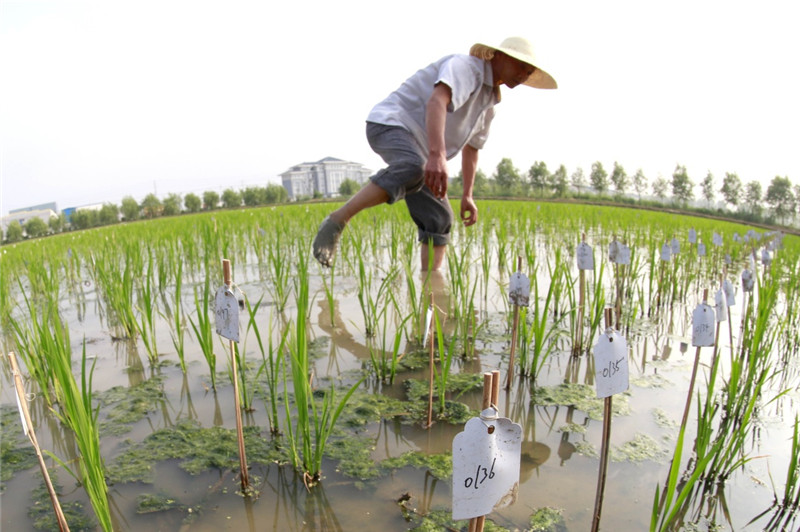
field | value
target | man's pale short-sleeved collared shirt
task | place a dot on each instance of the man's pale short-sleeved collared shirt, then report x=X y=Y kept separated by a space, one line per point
x=469 y=114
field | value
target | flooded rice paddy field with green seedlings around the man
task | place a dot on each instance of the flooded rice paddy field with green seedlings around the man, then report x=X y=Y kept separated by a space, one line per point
x=133 y=395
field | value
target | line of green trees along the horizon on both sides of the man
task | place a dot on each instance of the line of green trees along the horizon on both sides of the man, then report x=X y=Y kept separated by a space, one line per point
x=730 y=197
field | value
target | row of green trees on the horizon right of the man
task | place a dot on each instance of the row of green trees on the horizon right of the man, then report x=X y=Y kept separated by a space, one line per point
x=748 y=199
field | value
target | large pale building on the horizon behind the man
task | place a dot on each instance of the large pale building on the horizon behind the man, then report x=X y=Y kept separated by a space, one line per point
x=324 y=176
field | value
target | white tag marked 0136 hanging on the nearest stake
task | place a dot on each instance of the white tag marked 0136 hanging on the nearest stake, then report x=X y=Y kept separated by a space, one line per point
x=485 y=466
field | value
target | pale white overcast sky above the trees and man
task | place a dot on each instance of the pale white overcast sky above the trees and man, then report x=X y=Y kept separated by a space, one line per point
x=101 y=100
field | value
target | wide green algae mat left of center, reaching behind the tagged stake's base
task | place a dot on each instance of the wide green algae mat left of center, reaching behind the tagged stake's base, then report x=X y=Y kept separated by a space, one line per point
x=199 y=449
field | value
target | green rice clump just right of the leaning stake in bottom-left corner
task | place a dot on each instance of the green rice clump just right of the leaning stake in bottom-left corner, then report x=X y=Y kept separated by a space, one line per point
x=75 y=411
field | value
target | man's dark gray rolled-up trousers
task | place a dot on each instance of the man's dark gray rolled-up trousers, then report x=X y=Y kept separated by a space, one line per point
x=403 y=179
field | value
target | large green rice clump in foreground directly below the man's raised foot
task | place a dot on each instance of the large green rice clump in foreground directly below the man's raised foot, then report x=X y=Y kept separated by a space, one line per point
x=308 y=437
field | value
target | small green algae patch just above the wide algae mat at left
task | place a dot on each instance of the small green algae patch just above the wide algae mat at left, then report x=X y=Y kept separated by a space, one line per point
x=128 y=404
